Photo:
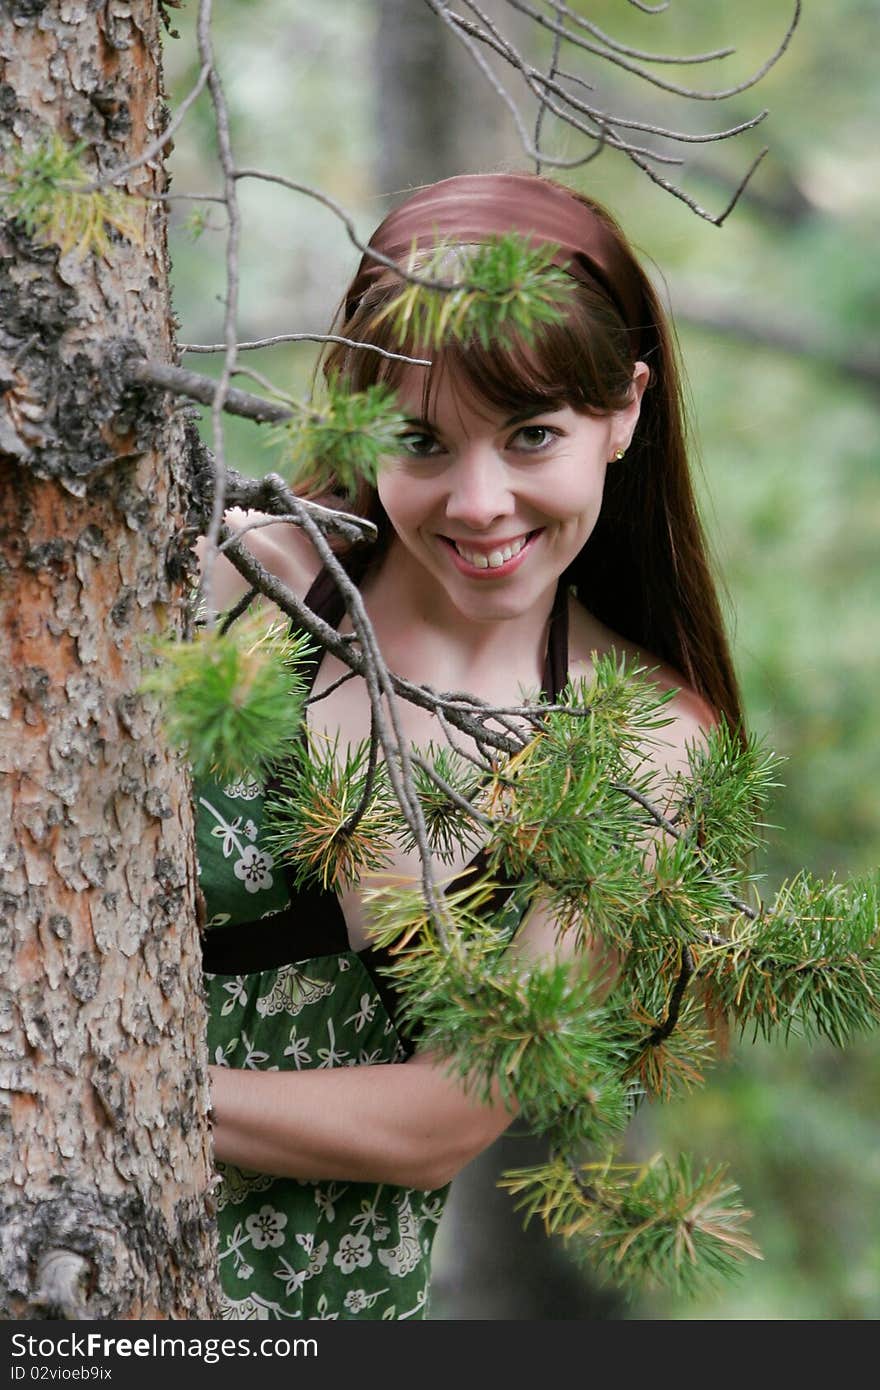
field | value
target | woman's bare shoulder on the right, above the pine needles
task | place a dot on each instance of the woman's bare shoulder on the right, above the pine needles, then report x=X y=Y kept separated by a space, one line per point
x=690 y=717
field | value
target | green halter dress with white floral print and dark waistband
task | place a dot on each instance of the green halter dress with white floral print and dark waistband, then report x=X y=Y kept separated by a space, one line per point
x=298 y=1249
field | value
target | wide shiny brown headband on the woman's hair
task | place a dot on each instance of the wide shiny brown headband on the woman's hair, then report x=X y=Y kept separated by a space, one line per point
x=471 y=208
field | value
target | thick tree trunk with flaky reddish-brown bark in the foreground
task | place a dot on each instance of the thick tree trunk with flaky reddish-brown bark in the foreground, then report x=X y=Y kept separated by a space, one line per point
x=104 y=1134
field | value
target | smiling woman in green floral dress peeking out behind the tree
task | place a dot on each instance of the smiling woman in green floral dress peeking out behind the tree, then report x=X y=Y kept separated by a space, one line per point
x=539 y=511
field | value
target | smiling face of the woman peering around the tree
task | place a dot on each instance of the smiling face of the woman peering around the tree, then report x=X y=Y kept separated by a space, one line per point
x=490 y=509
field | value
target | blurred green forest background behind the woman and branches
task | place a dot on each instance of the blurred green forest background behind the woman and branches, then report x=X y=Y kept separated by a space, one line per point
x=778 y=318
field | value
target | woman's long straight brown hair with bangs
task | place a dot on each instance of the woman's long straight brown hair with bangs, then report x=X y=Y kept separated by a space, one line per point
x=644 y=571
